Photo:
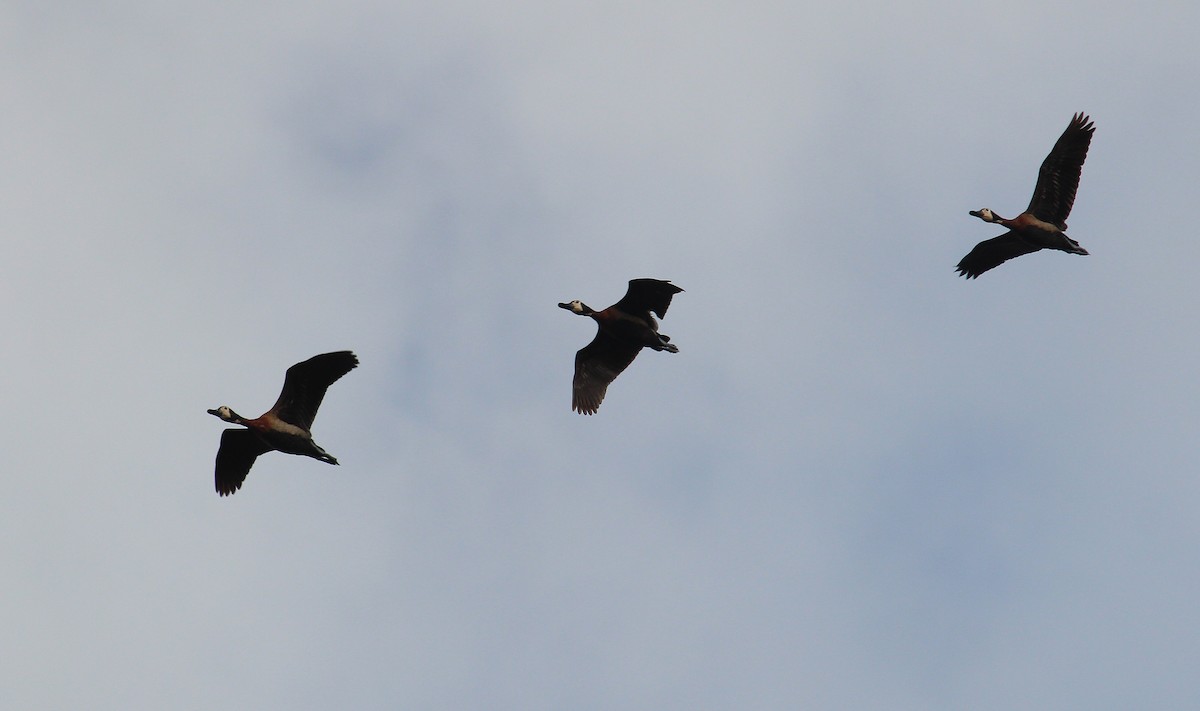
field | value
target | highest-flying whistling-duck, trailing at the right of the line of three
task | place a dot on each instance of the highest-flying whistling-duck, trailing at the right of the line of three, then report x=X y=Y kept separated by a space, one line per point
x=1043 y=224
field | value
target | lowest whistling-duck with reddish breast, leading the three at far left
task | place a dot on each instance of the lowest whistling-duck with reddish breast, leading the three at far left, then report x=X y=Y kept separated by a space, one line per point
x=286 y=426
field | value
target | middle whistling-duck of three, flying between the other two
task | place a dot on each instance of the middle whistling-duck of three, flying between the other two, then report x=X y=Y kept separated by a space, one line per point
x=625 y=328
